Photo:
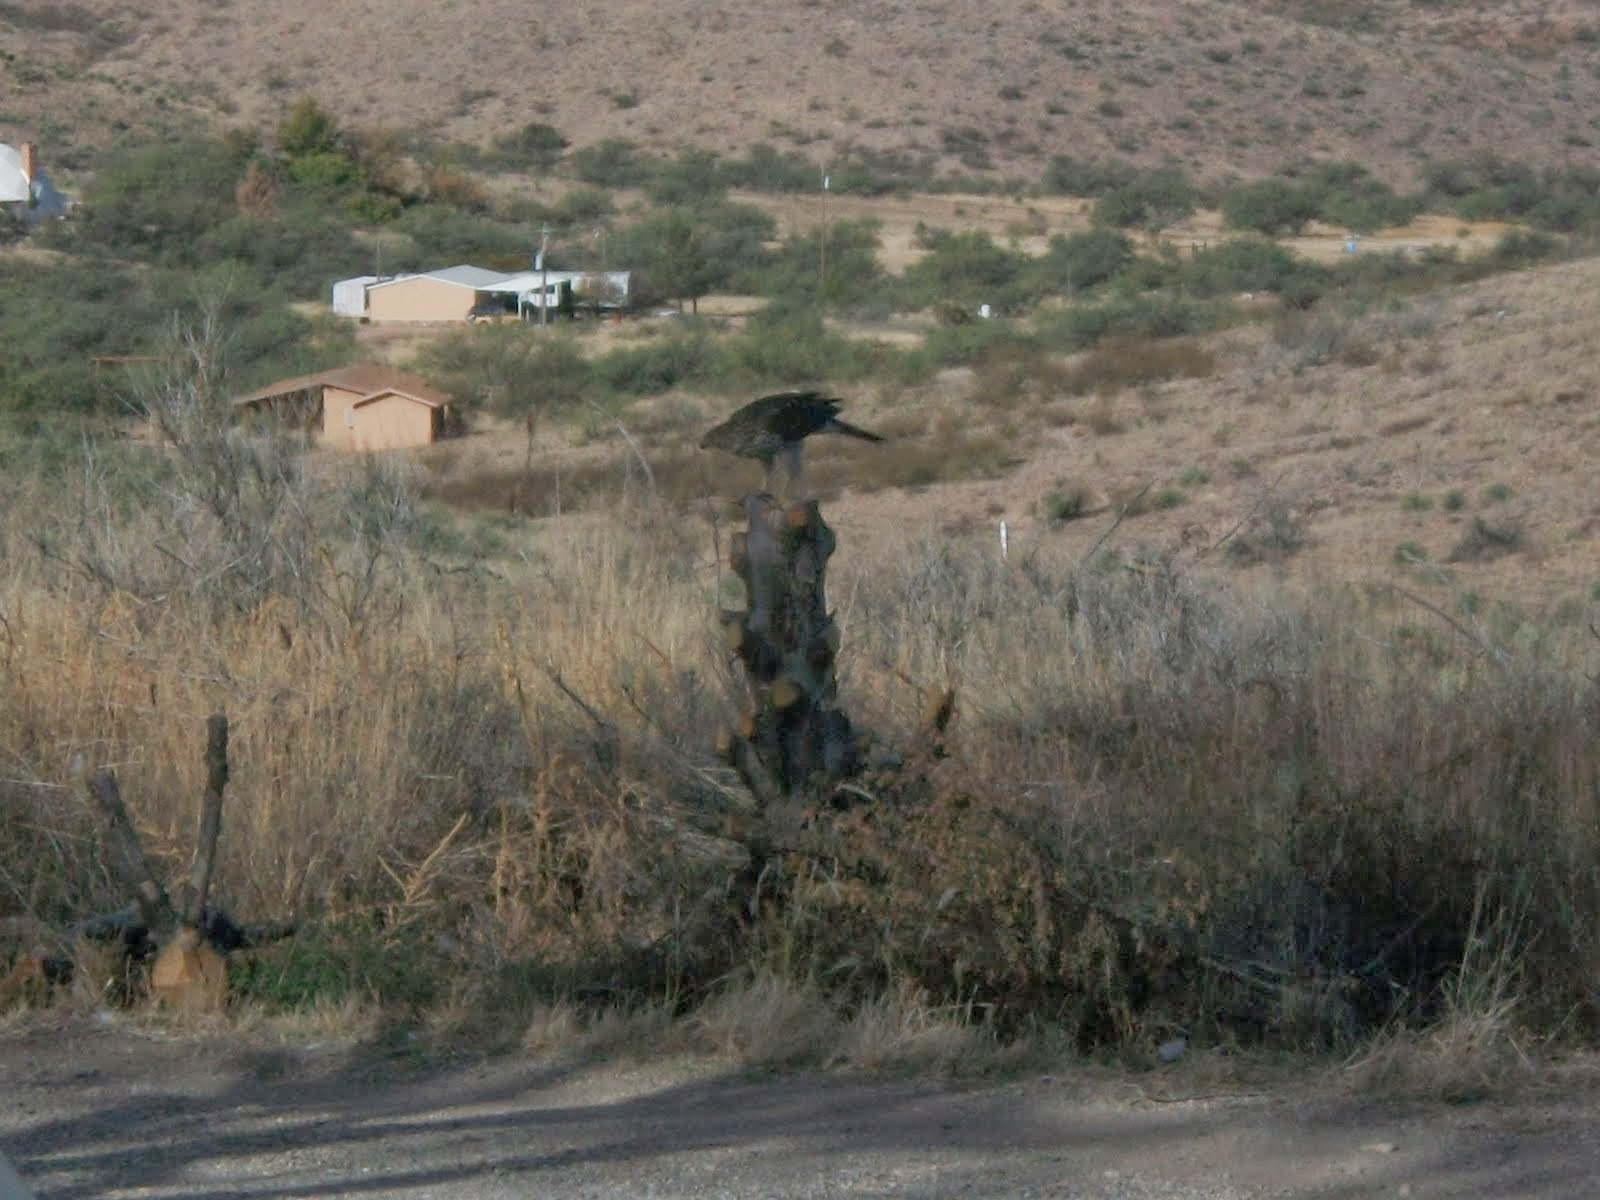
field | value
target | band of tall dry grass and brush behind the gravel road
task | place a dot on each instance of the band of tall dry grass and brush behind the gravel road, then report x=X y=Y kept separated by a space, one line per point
x=1169 y=806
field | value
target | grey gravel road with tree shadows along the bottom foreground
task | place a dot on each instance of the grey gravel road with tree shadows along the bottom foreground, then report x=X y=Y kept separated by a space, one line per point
x=111 y=1113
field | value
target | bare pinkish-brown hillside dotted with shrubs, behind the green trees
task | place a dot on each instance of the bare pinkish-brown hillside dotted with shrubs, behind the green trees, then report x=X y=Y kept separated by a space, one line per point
x=1225 y=89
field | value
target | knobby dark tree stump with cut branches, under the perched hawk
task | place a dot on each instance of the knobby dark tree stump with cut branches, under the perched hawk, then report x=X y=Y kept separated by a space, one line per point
x=794 y=738
